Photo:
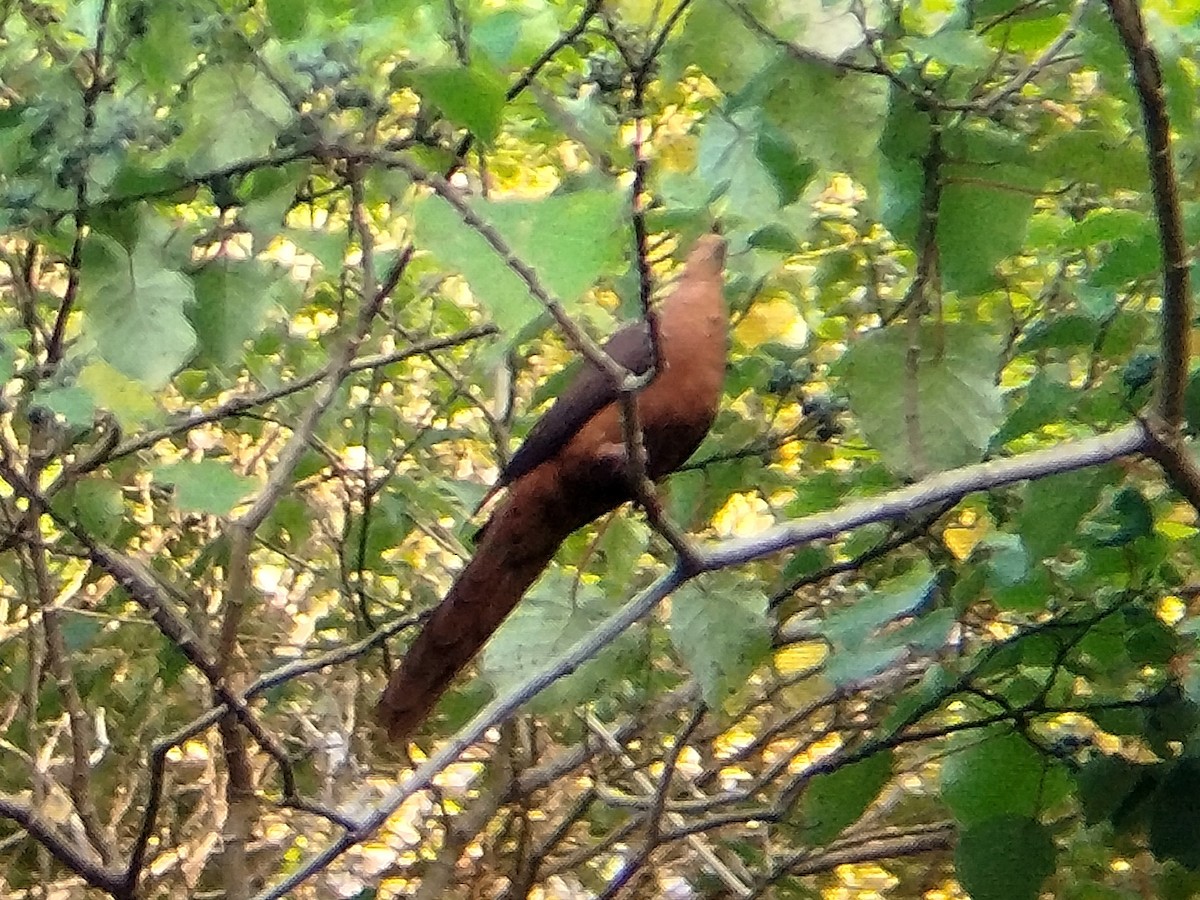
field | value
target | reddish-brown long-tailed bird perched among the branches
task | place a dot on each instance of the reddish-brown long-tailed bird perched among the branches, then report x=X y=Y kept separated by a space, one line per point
x=571 y=471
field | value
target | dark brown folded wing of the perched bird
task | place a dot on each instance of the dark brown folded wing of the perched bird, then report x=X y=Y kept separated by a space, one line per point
x=589 y=394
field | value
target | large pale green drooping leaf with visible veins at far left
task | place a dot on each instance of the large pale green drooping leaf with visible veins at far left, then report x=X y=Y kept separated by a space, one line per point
x=135 y=309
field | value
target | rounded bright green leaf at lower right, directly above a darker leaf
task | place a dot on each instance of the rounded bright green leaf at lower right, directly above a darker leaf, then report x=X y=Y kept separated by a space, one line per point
x=1000 y=776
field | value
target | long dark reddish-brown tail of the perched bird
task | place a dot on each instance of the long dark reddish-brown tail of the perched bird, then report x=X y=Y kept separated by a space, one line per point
x=517 y=545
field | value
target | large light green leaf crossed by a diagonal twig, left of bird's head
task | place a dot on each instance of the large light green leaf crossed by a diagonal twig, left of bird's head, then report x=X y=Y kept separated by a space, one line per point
x=569 y=239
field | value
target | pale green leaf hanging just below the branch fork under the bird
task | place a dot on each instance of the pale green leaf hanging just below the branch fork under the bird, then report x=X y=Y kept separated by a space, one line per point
x=719 y=627
